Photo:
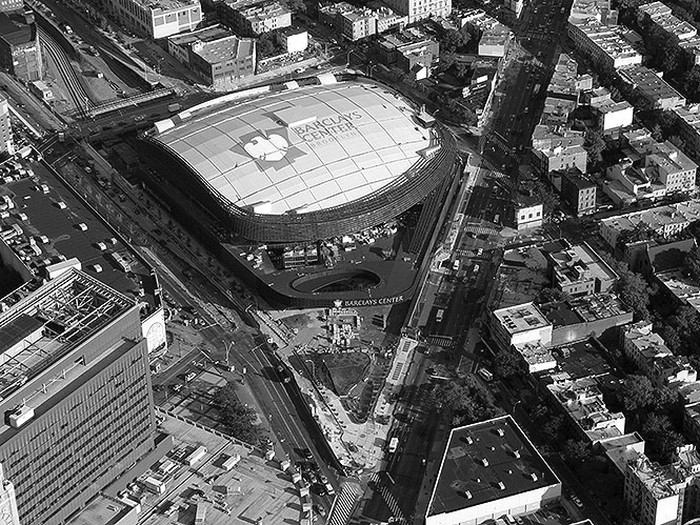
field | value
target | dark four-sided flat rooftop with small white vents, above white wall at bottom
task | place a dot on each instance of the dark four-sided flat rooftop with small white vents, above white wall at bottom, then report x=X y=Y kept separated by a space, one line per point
x=487 y=461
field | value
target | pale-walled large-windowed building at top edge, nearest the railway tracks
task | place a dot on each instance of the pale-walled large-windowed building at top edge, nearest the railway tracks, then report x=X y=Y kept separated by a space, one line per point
x=157 y=18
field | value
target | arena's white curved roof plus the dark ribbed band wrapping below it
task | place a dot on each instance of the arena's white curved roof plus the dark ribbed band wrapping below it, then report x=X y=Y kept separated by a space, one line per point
x=291 y=159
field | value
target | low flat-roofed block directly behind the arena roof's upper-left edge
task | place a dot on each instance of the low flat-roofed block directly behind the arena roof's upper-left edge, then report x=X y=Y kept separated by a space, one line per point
x=218 y=57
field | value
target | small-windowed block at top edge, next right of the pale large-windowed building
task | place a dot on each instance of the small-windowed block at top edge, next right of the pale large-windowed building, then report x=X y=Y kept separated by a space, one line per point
x=251 y=18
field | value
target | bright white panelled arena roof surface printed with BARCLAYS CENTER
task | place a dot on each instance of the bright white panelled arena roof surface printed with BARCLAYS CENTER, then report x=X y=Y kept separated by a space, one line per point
x=301 y=149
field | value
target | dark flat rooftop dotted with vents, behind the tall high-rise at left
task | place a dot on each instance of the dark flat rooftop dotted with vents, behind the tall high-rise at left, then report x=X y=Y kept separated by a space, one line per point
x=45 y=217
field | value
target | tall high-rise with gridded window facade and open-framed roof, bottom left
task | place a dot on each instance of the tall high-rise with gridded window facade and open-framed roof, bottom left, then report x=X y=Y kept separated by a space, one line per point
x=75 y=392
